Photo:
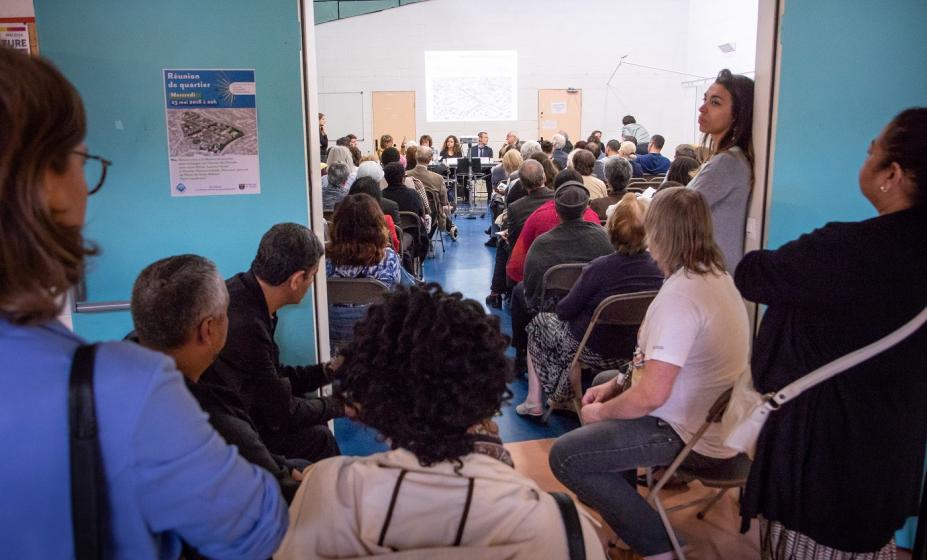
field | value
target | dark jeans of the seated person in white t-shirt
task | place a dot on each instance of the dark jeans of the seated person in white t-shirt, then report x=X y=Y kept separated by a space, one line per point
x=599 y=463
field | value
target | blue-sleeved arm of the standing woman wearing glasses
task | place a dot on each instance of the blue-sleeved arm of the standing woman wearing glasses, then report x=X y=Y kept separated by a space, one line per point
x=190 y=482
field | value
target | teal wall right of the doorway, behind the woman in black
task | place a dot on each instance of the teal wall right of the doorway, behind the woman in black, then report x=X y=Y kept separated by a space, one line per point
x=847 y=69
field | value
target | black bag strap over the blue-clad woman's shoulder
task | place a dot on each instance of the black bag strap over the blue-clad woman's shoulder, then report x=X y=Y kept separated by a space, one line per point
x=88 y=496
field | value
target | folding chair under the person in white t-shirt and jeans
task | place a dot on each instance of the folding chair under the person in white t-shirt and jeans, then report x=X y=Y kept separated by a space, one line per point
x=732 y=475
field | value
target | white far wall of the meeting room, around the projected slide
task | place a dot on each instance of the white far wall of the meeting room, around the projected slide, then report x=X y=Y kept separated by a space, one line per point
x=560 y=45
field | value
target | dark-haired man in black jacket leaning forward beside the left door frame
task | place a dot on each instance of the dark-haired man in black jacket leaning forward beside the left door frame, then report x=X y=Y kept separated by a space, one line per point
x=282 y=272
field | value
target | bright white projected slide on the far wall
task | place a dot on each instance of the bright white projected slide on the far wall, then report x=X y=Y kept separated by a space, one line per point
x=471 y=85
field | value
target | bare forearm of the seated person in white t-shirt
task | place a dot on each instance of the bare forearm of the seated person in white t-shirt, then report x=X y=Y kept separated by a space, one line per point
x=641 y=399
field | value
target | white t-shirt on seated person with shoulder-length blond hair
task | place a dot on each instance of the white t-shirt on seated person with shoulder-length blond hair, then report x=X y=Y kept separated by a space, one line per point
x=699 y=323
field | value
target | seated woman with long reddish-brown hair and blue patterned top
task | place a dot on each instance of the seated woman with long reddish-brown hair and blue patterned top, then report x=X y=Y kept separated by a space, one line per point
x=359 y=247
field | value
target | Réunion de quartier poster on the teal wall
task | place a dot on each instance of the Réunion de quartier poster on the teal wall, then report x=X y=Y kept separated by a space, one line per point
x=212 y=139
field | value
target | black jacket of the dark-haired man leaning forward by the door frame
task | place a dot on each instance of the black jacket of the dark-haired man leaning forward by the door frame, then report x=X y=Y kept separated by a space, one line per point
x=250 y=366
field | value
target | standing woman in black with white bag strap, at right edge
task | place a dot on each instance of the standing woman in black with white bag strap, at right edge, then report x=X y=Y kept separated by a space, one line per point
x=838 y=469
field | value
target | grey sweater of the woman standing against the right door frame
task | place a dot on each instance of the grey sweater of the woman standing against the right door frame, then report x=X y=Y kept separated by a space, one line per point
x=726 y=181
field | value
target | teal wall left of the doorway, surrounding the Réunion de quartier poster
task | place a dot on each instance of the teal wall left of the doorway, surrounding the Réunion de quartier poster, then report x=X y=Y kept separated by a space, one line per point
x=114 y=53
